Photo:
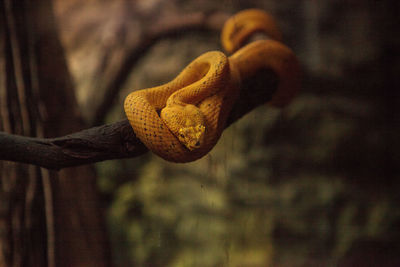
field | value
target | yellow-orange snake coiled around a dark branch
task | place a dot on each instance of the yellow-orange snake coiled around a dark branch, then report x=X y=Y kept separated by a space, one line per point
x=182 y=120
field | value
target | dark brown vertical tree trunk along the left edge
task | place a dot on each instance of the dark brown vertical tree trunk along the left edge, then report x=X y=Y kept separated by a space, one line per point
x=47 y=218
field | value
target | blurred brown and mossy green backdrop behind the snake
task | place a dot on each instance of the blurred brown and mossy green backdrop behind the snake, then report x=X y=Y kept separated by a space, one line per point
x=314 y=184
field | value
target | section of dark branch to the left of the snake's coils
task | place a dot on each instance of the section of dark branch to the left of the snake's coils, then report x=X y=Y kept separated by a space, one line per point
x=111 y=141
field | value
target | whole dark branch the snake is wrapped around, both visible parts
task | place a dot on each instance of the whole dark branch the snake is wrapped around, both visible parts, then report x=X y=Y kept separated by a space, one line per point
x=116 y=140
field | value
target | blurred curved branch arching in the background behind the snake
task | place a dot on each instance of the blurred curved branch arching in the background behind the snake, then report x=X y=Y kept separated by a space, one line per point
x=165 y=28
